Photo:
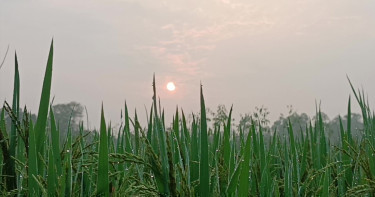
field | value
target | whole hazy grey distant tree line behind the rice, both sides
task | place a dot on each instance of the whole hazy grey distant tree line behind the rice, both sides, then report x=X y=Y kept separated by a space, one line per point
x=69 y=116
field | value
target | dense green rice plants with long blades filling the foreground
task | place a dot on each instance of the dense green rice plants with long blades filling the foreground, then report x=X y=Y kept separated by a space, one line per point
x=189 y=159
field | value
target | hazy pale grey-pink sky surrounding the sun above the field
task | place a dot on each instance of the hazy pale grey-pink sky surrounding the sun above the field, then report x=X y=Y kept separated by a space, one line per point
x=246 y=52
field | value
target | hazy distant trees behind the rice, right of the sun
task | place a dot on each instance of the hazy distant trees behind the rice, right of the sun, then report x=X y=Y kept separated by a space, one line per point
x=299 y=121
